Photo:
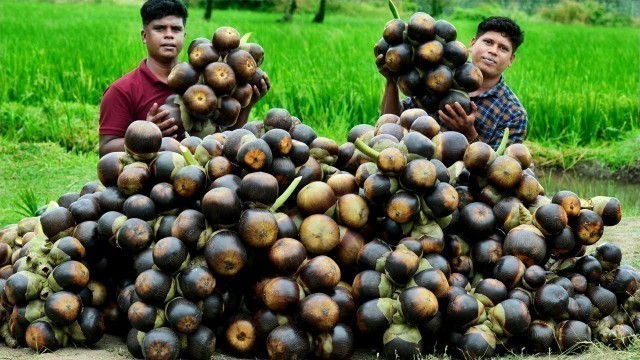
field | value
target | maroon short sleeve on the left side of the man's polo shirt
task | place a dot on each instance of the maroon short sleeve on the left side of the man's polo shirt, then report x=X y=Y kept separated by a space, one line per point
x=115 y=114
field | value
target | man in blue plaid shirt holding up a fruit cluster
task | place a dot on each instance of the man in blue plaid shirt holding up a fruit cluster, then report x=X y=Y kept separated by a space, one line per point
x=494 y=106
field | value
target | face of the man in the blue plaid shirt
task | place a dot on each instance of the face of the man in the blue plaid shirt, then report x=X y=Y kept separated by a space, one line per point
x=492 y=53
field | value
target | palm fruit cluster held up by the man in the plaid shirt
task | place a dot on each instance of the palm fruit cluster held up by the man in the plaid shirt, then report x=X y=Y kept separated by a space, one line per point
x=427 y=61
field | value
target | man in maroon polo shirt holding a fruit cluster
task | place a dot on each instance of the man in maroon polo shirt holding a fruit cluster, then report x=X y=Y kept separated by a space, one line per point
x=137 y=95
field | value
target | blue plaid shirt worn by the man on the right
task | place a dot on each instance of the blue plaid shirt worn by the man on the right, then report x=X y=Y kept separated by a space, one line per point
x=498 y=108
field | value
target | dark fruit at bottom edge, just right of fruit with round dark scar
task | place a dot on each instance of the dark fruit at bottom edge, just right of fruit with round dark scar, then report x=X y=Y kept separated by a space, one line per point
x=288 y=341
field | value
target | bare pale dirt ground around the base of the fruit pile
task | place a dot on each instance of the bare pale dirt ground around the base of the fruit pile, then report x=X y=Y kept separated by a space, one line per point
x=626 y=235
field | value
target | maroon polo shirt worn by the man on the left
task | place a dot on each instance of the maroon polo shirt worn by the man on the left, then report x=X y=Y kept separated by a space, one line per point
x=130 y=98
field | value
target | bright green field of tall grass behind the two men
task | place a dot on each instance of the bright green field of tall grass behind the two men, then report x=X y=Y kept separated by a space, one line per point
x=579 y=84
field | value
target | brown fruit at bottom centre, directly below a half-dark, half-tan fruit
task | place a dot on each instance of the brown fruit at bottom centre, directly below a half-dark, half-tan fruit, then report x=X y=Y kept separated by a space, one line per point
x=318 y=312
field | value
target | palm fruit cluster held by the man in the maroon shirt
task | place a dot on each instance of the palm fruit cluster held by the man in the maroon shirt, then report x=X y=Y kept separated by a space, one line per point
x=215 y=84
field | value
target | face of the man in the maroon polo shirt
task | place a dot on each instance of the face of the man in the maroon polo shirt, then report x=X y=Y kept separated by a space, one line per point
x=164 y=38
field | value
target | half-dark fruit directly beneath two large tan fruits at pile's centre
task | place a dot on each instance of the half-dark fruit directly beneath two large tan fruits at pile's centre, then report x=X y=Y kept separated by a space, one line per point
x=320 y=274
